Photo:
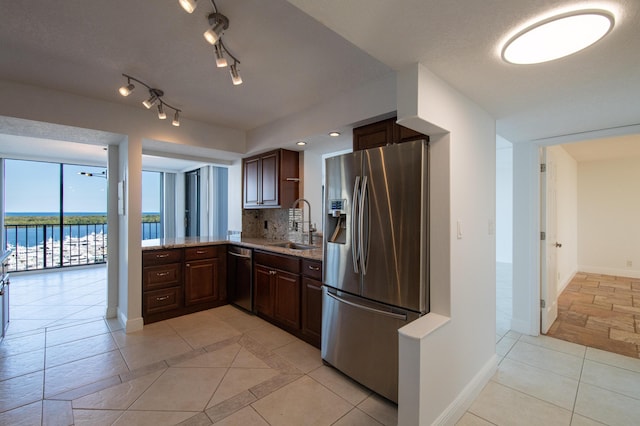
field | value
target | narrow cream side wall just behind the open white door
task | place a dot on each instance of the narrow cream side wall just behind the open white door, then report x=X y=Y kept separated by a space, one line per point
x=567 y=215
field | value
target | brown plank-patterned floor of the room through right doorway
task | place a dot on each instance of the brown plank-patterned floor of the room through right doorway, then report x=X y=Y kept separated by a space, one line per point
x=600 y=311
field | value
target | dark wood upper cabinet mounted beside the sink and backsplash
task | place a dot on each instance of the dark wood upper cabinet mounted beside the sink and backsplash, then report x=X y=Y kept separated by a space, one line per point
x=271 y=179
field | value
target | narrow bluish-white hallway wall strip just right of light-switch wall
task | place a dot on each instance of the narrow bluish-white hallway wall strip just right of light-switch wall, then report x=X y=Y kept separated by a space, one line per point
x=504 y=200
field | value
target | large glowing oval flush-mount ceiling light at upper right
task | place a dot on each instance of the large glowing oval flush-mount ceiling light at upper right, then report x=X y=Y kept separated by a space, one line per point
x=557 y=37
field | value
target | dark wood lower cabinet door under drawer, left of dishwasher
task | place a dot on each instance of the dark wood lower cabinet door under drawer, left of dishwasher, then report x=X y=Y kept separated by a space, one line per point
x=200 y=283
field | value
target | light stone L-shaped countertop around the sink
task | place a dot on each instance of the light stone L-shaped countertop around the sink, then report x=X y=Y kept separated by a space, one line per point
x=255 y=243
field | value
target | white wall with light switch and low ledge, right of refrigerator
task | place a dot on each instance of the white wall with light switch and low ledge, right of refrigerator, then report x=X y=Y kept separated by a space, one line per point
x=447 y=356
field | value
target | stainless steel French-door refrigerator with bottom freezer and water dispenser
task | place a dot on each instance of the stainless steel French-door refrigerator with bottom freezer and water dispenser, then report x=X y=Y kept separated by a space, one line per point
x=376 y=275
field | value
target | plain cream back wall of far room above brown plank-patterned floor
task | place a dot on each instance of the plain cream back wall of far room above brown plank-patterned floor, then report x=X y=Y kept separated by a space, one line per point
x=609 y=208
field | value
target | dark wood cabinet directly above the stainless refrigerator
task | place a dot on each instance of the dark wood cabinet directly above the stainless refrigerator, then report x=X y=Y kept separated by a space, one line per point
x=383 y=133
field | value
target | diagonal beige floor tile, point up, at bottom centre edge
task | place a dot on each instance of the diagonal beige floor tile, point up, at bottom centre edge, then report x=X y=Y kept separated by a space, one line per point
x=304 y=401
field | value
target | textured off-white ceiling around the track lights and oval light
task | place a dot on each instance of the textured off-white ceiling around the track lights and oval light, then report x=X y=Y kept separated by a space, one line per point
x=299 y=53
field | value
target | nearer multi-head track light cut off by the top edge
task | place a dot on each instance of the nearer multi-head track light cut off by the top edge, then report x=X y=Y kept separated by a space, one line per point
x=218 y=23
